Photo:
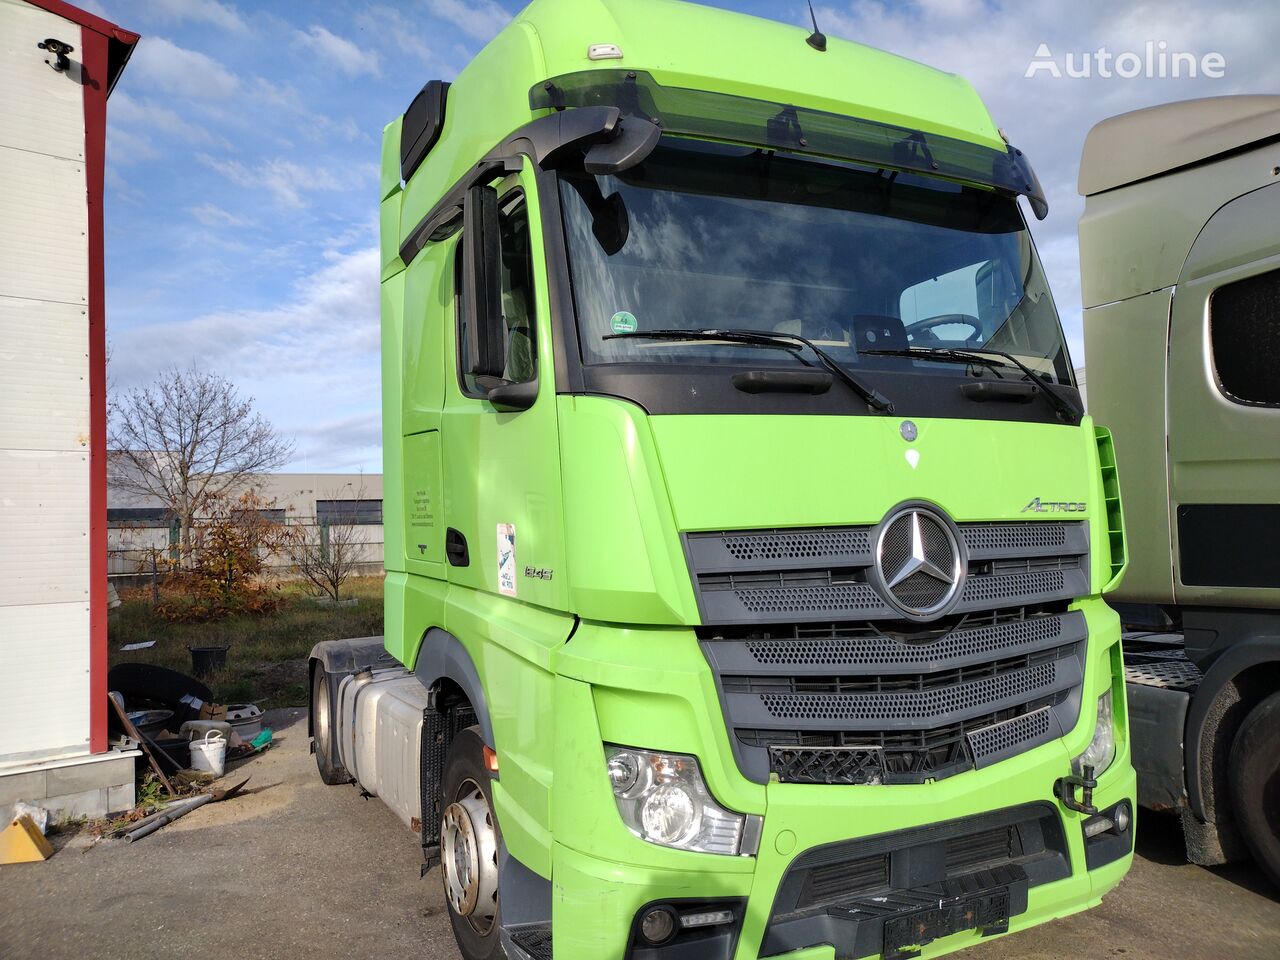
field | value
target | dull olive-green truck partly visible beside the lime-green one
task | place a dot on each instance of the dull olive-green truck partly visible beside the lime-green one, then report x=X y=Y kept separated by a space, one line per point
x=1181 y=273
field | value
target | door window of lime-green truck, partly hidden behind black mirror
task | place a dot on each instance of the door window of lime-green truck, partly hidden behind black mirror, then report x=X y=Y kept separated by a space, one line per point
x=518 y=298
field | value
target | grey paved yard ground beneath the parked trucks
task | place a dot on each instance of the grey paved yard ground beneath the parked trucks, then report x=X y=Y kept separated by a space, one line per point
x=298 y=870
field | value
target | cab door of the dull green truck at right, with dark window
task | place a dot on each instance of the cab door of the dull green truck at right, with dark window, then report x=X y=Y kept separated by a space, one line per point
x=1224 y=409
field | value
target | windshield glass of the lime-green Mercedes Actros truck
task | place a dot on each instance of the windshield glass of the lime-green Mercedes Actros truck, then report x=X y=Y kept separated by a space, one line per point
x=707 y=236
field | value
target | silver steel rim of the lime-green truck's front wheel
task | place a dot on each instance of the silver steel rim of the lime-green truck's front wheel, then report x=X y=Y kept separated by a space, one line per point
x=469 y=858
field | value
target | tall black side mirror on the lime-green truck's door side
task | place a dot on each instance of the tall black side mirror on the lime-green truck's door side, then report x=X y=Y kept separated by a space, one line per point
x=482 y=284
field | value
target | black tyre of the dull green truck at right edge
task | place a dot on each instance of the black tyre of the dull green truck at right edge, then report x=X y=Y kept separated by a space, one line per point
x=1255 y=776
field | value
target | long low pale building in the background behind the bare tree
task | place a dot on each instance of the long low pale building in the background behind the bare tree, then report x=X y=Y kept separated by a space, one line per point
x=141 y=528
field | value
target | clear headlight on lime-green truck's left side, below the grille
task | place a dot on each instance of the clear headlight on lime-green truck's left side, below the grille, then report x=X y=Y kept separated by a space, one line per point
x=662 y=799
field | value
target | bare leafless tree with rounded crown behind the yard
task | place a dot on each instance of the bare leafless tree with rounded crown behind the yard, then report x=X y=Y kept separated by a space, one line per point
x=188 y=438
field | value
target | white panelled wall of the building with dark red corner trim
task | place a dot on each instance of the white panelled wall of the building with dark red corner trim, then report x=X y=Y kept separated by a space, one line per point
x=44 y=396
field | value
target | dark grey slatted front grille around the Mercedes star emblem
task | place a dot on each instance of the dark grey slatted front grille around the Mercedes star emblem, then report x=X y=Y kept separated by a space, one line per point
x=822 y=682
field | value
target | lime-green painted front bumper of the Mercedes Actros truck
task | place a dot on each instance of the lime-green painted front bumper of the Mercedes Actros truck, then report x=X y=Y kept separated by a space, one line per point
x=604 y=876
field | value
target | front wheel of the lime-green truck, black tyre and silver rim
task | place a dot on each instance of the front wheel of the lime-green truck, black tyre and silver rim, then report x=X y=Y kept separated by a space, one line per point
x=470 y=843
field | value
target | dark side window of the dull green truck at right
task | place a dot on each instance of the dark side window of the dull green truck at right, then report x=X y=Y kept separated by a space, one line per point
x=1245 y=333
